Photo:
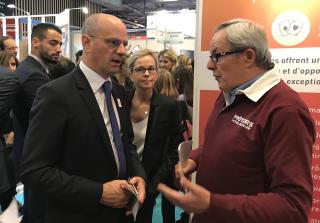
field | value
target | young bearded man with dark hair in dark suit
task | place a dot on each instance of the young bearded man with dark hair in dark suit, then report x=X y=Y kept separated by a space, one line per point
x=33 y=72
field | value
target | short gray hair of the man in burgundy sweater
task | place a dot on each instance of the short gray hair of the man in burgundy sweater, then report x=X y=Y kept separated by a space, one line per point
x=242 y=34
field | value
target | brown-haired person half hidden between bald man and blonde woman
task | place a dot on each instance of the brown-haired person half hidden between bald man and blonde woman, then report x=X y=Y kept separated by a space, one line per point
x=122 y=77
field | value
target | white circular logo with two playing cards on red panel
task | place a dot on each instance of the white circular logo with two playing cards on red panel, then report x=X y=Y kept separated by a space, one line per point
x=290 y=28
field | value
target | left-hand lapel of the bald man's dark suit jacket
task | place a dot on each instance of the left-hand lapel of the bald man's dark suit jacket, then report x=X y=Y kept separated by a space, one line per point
x=92 y=105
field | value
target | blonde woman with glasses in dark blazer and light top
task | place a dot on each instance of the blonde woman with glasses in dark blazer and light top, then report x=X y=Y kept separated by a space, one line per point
x=155 y=120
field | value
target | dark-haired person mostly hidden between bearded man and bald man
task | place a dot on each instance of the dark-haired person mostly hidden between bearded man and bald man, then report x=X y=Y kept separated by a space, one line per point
x=61 y=68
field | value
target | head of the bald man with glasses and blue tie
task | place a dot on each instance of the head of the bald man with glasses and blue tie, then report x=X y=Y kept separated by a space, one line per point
x=104 y=41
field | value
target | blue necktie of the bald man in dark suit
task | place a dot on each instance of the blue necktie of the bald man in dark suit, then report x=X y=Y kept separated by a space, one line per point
x=107 y=87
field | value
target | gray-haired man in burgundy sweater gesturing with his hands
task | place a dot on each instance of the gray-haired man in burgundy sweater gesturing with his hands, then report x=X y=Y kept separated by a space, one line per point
x=254 y=164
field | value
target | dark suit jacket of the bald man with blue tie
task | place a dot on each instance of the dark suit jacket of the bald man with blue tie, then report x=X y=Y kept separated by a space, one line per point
x=68 y=154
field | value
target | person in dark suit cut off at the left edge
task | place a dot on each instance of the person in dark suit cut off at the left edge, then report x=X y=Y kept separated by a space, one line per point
x=8 y=86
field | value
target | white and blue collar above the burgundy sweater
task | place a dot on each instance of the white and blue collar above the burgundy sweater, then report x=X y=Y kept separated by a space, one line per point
x=255 y=88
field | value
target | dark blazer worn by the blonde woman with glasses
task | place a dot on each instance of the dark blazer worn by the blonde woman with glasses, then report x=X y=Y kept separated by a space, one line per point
x=163 y=136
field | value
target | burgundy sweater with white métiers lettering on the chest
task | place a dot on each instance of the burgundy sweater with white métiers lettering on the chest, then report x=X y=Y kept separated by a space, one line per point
x=256 y=159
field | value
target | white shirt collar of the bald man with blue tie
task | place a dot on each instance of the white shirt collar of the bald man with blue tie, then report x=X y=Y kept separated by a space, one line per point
x=94 y=79
